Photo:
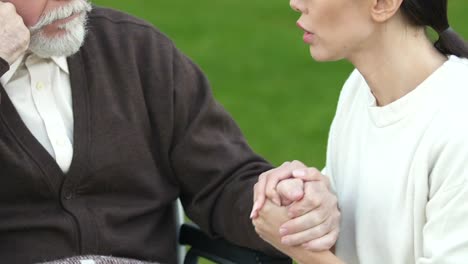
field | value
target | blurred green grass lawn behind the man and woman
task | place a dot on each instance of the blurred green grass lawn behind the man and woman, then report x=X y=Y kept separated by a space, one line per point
x=260 y=69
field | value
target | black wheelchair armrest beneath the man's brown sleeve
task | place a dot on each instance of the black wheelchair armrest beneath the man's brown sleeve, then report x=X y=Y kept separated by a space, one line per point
x=219 y=250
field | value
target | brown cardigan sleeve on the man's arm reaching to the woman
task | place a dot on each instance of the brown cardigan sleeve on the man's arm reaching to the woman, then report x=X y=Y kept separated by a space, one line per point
x=215 y=167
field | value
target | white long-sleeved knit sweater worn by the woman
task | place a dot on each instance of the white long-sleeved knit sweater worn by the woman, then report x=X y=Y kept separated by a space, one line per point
x=401 y=171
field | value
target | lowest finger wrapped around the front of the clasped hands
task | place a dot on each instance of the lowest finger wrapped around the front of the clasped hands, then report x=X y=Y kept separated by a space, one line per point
x=307 y=235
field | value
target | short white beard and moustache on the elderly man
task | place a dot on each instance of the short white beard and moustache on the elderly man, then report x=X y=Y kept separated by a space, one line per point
x=64 y=44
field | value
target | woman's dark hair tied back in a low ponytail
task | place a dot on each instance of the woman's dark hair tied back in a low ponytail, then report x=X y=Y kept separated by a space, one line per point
x=433 y=13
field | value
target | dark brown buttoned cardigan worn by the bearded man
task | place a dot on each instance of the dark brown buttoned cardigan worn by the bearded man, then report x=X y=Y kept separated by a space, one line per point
x=147 y=130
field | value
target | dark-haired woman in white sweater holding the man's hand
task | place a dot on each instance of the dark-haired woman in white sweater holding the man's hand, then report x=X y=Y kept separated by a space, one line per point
x=398 y=146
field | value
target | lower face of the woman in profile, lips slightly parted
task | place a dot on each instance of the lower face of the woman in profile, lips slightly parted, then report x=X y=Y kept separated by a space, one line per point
x=334 y=29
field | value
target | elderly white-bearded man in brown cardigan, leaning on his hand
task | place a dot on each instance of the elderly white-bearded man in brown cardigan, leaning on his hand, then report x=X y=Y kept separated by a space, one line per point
x=101 y=131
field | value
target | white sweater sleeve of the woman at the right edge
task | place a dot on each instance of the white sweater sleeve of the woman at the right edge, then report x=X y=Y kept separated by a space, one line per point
x=445 y=233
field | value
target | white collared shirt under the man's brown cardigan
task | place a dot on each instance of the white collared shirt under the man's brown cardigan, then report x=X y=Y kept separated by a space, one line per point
x=40 y=90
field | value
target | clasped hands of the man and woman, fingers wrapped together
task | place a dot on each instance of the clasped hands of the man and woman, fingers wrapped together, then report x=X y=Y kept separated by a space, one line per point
x=294 y=206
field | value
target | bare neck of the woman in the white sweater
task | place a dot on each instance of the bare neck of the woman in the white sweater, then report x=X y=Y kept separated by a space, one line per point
x=396 y=64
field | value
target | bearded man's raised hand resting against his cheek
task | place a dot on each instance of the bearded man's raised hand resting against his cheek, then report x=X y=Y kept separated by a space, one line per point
x=14 y=35
